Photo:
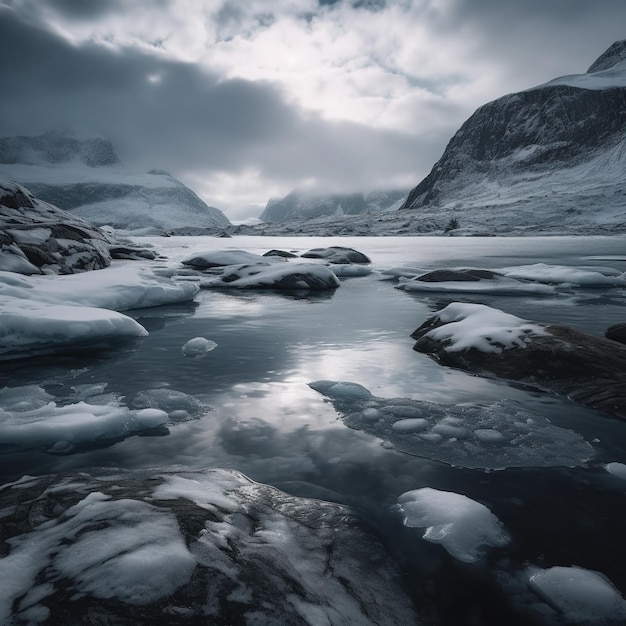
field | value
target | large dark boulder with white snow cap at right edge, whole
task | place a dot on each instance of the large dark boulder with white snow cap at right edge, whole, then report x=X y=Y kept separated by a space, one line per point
x=588 y=369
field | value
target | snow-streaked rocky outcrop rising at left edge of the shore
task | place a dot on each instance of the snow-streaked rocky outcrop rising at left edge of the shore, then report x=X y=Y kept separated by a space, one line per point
x=37 y=237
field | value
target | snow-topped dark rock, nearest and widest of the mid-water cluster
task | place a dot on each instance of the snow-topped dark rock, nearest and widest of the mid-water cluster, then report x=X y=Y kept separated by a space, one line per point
x=278 y=276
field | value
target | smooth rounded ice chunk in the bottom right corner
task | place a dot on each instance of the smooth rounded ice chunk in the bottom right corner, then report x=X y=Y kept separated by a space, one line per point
x=582 y=596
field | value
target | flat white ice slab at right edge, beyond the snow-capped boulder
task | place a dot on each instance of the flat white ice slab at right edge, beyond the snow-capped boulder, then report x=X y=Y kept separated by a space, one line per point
x=586 y=276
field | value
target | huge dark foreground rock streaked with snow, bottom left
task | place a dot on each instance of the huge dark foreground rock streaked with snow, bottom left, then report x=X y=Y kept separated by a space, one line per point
x=208 y=546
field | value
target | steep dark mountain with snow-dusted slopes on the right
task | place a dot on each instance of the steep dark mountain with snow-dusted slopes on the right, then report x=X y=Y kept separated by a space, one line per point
x=552 y=156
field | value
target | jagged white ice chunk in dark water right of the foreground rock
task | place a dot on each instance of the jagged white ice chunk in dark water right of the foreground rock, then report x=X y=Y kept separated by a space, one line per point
x=461 y=525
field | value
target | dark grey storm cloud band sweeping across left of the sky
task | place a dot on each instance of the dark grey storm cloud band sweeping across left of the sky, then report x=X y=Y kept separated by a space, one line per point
x=161 y=113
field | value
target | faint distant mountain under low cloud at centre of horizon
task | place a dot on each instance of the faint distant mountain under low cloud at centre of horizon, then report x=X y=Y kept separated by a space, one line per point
x=300 y=205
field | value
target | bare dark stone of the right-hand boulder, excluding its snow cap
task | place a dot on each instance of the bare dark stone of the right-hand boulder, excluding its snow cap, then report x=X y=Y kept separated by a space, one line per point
x=587 y=369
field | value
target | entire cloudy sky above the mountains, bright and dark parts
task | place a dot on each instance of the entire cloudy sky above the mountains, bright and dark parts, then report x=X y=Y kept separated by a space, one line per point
x=247 y=99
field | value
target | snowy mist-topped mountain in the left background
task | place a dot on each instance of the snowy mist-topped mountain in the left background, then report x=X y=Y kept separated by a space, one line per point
x=86 y=177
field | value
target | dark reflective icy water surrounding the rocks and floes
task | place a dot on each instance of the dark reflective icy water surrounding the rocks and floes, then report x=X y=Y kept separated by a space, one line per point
x=248 y=406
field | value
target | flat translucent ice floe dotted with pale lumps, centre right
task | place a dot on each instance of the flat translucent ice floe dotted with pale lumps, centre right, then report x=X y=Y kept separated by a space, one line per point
x=495 y=436
